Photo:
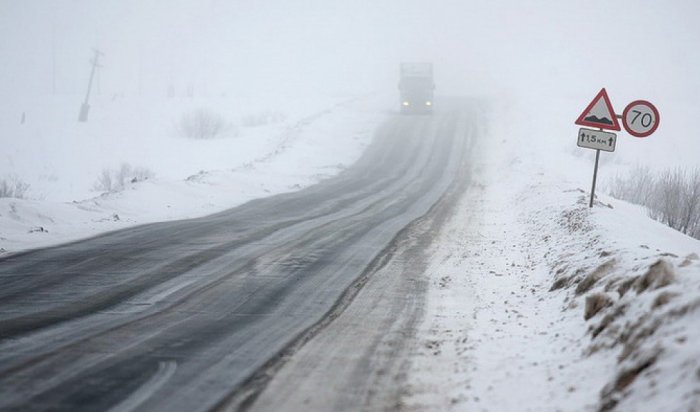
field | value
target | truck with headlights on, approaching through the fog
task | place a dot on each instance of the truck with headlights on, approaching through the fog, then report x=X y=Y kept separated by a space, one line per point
x=416 y=88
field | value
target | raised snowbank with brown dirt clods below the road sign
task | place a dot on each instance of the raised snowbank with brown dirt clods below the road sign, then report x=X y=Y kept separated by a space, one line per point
x=637 y=285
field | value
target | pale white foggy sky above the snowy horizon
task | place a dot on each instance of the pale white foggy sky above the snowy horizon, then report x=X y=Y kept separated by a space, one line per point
x=221 y=46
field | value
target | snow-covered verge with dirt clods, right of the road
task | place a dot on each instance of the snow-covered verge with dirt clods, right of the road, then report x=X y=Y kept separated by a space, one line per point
x=538 y=303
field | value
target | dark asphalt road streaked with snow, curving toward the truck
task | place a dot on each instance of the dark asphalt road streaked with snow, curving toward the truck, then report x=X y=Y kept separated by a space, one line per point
x=184 y=316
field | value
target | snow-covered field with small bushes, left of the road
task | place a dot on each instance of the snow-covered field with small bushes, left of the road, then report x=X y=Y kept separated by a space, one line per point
x=298 y=142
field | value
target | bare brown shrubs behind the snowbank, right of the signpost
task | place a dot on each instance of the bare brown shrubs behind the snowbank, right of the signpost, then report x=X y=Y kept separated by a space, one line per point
x=672 y=197
